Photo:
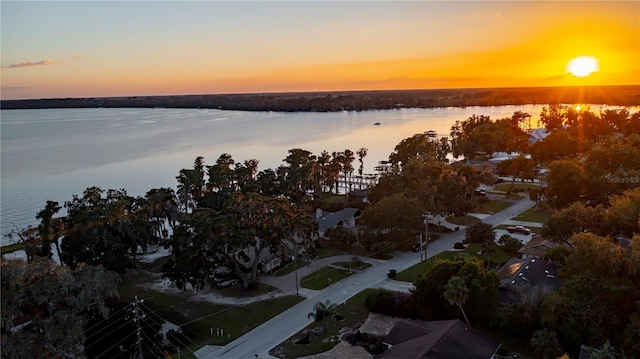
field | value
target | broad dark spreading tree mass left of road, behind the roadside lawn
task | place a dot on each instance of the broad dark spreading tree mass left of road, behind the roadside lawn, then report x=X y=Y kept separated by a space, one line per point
x=235 y=237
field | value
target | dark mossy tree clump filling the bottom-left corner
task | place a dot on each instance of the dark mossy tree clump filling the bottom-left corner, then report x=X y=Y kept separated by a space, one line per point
x=45 y=307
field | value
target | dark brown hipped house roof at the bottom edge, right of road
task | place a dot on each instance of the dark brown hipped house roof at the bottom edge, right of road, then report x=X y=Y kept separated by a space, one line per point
x=437 y=339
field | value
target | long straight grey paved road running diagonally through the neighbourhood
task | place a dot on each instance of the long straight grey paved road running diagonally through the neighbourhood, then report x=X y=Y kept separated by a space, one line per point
x=271 y=333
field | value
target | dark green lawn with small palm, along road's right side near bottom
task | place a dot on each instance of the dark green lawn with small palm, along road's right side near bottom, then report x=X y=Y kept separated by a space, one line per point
x=354 y=313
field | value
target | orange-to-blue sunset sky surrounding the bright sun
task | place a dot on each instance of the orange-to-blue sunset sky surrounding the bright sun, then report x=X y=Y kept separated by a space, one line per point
x=122 y=48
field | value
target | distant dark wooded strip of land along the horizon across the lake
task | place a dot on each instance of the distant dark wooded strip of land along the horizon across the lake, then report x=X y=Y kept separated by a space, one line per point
x=327 y=101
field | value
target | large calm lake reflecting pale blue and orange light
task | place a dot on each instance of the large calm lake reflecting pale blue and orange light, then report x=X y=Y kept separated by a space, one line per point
x=53 y=154
